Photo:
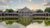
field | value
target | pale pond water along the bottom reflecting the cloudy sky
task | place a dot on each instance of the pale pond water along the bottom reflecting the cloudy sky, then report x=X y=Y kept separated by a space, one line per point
x=17 y=25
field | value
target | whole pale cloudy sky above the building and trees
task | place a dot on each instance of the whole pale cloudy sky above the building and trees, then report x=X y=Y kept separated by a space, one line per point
x=18 y=4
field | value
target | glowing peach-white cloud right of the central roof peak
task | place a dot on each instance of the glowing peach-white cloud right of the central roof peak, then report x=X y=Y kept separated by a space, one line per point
x=35 y=6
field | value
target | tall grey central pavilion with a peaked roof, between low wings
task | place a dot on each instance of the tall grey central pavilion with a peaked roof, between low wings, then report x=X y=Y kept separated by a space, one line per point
x=25 y=12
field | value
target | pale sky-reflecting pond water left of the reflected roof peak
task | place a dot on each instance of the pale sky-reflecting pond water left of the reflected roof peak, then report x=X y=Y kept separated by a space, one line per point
x=14 y=25
